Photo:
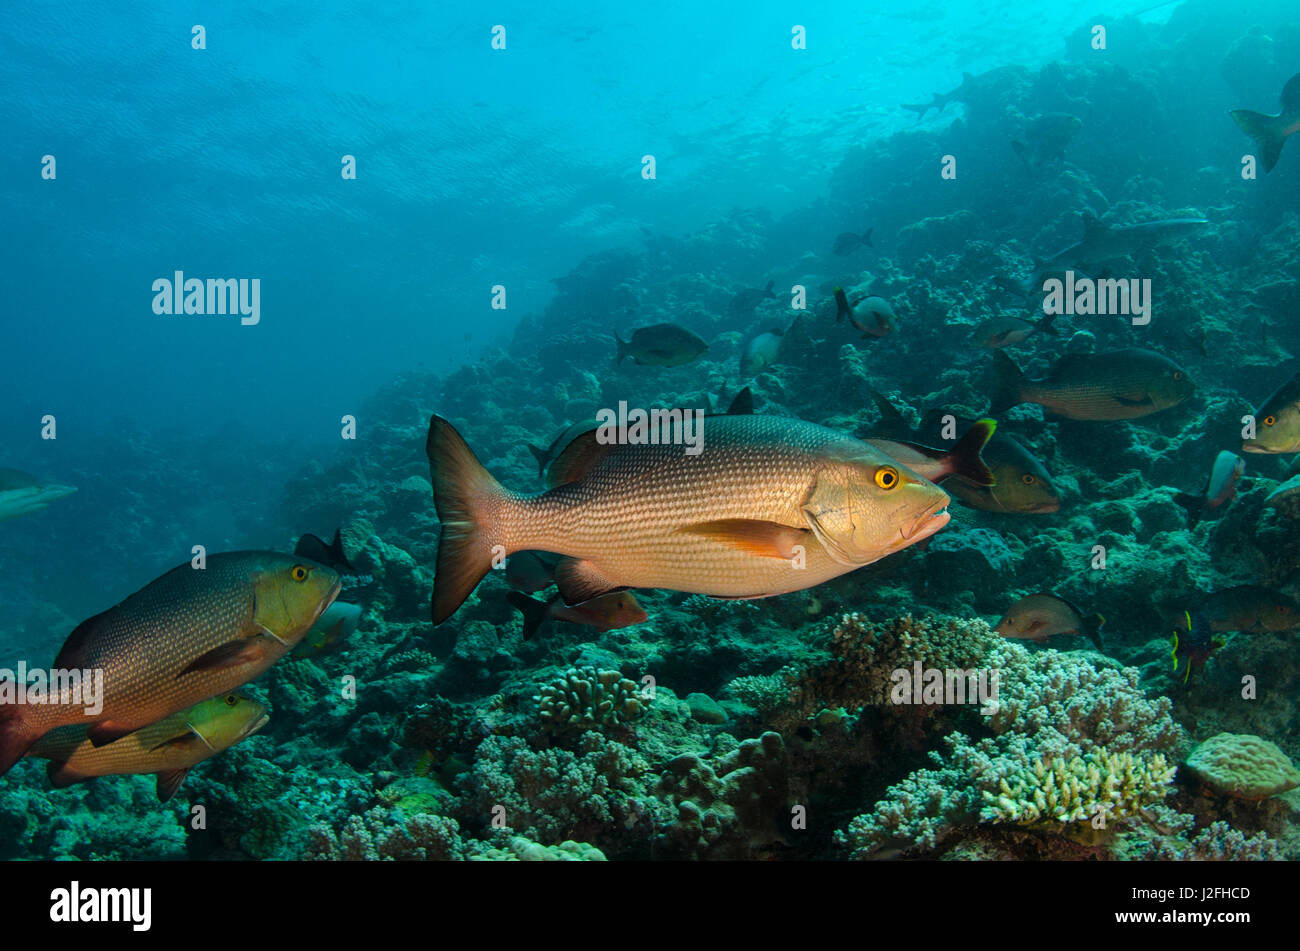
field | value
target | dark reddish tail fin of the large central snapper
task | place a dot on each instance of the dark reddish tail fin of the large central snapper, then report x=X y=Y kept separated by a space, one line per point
x=465 y=494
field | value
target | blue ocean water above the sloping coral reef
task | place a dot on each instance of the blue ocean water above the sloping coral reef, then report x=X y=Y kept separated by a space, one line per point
x=479 y=168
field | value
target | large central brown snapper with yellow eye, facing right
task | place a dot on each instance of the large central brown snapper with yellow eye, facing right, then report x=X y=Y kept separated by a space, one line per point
x=770 y=506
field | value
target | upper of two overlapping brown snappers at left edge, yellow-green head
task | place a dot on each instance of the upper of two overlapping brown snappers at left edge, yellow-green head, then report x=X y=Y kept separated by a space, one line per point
x=192 y=635
